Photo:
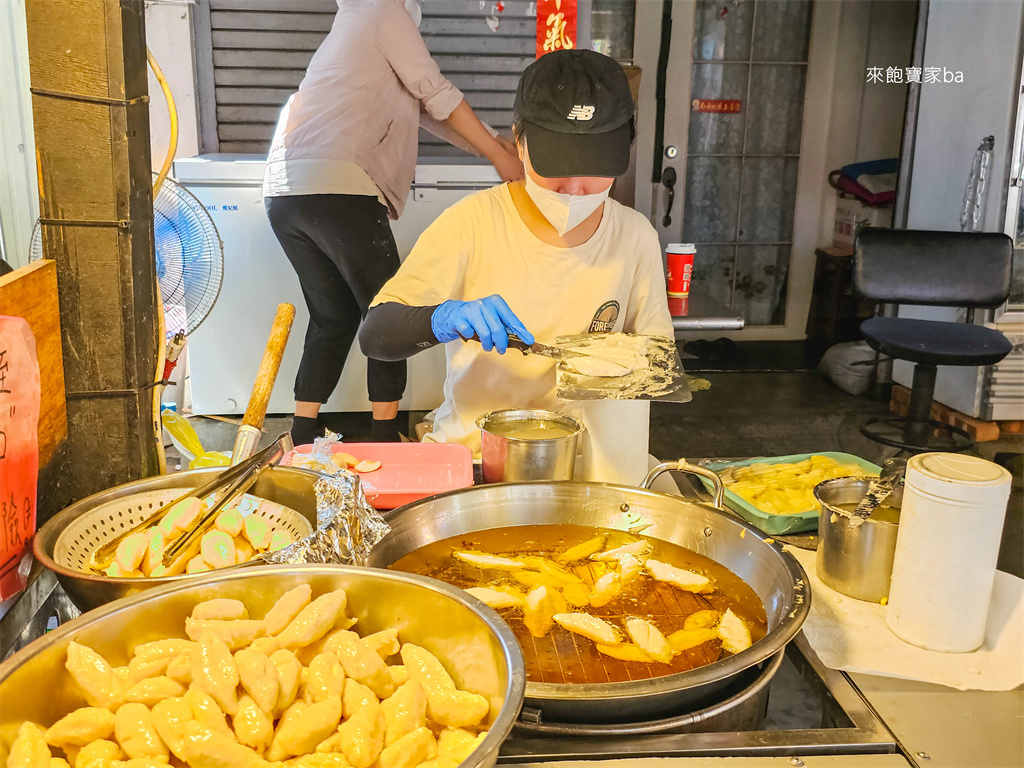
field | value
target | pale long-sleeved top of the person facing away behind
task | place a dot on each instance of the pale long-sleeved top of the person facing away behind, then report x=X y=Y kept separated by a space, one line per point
x=361 y=100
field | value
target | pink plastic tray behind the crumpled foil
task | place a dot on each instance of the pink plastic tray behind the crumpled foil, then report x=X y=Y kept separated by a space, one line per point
x=410 y=472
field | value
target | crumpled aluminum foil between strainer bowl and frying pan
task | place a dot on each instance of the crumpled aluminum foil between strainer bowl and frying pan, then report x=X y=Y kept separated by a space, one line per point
x=348 y=528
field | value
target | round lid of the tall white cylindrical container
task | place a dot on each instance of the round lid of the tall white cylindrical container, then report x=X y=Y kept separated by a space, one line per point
x=958 y=477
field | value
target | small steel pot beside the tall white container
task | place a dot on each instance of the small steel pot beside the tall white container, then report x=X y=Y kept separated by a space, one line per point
x=855 y=561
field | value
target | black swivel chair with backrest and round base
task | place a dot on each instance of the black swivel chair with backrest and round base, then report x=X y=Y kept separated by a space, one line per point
x=932 y=269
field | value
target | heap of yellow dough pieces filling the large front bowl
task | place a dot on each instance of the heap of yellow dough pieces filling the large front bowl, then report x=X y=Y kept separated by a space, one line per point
x=304 y=692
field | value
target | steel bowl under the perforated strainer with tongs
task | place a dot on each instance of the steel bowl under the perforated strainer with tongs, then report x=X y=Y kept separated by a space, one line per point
x=287 y=486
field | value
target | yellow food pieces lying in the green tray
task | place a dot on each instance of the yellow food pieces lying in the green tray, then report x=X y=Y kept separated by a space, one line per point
x=785 y=489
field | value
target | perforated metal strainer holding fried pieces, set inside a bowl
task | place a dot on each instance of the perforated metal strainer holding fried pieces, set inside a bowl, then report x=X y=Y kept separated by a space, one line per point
x=97 y=528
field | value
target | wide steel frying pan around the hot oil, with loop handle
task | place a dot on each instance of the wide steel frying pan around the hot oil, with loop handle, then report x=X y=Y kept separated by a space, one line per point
x=774 y=575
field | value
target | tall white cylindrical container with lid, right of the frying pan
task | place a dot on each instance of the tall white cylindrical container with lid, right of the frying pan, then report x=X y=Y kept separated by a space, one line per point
x=950 y=533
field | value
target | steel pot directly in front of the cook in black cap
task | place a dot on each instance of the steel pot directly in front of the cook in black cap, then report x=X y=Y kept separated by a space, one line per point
x=508 y=459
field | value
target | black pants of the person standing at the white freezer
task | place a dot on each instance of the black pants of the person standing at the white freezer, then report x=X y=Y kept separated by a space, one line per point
x=343 y=249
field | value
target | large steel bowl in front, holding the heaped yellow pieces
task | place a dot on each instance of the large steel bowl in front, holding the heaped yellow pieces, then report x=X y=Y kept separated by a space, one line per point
x=478 y=648
